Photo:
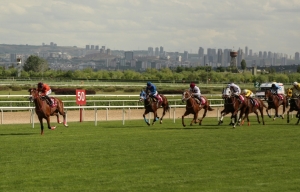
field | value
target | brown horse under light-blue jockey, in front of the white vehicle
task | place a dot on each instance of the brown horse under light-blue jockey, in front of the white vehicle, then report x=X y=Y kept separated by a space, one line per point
x=274 y=102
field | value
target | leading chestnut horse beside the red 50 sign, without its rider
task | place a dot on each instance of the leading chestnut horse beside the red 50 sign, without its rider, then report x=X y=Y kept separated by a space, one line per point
x=44 y=111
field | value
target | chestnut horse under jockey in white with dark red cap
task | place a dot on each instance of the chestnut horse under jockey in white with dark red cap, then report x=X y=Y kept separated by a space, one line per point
x=192 y=107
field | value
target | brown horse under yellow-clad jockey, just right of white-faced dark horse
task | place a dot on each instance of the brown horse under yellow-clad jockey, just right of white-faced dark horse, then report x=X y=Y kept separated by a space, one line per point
x=248 y=106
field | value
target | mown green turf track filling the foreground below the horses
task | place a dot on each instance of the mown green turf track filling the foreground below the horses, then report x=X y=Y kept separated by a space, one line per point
x=167 y=157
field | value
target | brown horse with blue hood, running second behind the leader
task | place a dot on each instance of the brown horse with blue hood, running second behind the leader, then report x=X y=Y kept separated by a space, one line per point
x=152 y=106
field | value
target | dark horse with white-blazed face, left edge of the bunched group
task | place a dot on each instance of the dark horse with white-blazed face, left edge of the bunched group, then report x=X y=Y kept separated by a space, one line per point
x=228 y=106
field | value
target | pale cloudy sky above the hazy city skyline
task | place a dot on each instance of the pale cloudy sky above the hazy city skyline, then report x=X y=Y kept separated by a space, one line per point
x=176 y=25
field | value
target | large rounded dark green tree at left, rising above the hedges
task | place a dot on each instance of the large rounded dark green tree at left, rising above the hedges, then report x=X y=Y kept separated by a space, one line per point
x=36 y=64
